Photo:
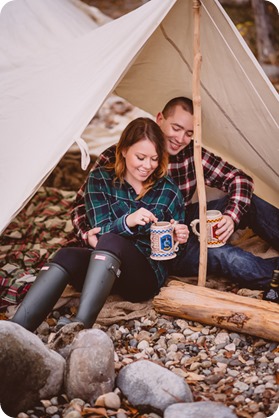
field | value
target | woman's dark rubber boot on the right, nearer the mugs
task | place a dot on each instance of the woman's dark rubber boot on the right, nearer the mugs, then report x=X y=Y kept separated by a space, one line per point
x=102 y=271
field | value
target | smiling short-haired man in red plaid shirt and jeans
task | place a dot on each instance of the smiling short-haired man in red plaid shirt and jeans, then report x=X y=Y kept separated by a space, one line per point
x=240 y=207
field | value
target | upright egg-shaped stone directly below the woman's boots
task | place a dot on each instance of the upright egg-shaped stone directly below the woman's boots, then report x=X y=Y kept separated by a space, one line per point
x=90 y=366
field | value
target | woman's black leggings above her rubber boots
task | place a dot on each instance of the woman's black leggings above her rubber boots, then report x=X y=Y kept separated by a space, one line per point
x=137 y=281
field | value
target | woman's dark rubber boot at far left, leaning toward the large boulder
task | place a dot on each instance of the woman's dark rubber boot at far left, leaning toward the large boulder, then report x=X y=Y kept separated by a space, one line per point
x=42 y=296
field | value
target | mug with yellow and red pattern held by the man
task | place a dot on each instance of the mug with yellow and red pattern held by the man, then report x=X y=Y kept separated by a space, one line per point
x=213 y=217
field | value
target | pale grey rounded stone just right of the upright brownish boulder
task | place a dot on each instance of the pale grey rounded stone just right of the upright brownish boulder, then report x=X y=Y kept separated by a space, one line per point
x=150 y=386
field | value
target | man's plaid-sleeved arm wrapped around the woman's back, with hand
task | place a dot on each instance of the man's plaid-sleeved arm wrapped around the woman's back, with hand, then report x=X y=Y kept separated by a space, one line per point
x=78 y=215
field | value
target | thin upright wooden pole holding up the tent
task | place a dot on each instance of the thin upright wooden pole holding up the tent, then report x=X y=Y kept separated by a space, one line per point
x=198 y=144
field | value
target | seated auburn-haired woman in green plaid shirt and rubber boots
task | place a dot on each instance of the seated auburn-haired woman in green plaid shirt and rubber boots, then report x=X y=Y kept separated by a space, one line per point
x=122 y=199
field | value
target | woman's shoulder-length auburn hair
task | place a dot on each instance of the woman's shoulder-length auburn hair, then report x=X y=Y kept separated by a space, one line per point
x=137 y=130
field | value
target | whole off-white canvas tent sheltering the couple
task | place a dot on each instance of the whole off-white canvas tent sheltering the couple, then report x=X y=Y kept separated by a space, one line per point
x=57 y=67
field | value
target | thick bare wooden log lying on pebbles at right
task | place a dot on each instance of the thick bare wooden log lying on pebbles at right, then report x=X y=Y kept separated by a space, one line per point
x=222 y=309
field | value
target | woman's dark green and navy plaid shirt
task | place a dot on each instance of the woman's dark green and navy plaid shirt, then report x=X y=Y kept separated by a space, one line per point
x=108 y=203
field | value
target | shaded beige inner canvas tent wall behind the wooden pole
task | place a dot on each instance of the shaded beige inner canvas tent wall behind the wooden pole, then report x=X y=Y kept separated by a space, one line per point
x=239 y=104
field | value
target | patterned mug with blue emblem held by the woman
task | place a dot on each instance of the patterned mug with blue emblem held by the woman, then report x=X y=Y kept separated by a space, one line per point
x=163 y=246
